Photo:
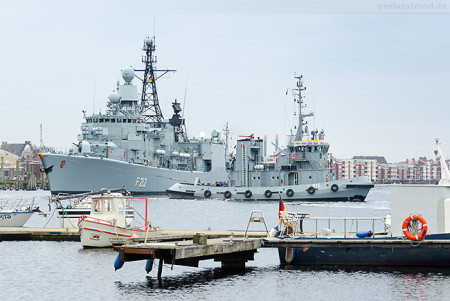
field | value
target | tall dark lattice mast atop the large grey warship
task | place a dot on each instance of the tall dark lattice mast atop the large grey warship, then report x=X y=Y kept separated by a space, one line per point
x=150 y=108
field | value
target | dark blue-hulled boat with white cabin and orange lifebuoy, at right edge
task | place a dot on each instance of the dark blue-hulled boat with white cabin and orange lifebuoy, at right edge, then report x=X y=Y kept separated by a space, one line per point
x=415 y=233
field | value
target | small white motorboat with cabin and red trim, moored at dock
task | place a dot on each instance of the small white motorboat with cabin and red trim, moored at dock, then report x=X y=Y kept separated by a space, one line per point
x=107 y=222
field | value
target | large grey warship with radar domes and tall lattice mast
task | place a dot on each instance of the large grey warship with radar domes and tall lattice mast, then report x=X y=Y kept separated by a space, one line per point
x=132 y=145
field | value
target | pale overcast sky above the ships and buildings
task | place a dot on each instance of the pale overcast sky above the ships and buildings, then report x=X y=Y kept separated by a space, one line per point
x=377 y=72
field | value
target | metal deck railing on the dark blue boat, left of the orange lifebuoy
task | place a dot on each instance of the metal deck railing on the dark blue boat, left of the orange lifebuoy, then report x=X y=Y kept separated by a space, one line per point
x=294 y=223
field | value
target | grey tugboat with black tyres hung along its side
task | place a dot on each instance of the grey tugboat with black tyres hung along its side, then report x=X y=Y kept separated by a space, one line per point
x=301 y=172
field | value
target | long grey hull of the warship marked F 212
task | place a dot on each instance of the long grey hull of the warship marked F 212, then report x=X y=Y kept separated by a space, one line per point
x=77 y=174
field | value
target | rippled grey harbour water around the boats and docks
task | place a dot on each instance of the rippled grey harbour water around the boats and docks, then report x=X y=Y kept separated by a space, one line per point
x=34 y=270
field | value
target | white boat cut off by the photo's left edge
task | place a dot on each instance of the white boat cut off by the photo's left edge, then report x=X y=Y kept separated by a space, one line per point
x=17 y=212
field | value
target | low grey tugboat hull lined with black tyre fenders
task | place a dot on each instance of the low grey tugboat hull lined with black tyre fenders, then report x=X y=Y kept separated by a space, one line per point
x=355 y=189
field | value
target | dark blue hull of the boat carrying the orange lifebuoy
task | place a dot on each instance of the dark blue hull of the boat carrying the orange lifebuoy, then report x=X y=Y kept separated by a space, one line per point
x=434 y=251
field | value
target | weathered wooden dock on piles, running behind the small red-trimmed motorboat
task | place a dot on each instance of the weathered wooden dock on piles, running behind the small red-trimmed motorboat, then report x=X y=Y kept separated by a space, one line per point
x=233 y=248
